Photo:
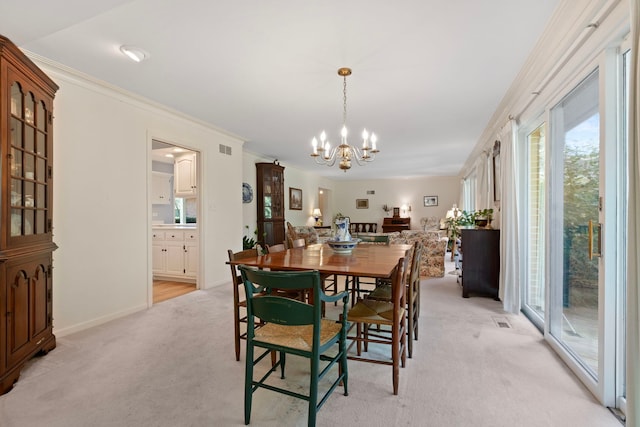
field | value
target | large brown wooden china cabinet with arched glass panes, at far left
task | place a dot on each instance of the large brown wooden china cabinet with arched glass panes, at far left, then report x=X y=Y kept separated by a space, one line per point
x=26 y=243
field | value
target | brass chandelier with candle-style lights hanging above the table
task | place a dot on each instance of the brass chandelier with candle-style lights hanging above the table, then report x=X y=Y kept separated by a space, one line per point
x=345 y=153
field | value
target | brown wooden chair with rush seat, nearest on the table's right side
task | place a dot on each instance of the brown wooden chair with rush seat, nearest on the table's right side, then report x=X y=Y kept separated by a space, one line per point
x=391 y=317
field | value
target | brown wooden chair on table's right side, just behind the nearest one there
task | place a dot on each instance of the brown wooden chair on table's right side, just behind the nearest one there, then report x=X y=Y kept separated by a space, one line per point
x=383 y=292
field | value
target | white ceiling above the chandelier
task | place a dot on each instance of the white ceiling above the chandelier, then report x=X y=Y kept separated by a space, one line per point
x=427 y=74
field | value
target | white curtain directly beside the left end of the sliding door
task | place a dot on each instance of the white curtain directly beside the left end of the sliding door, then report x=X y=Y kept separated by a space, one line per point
x=509 y=243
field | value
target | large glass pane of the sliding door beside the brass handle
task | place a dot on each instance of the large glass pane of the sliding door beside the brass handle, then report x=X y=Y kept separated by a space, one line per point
x=574 y=229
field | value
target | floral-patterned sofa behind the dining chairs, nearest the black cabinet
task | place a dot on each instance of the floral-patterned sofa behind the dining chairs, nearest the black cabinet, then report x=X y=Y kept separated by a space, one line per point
x=434 y=249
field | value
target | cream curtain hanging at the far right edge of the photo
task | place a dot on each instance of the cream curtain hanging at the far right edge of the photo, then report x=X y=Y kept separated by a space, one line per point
x=633 y=227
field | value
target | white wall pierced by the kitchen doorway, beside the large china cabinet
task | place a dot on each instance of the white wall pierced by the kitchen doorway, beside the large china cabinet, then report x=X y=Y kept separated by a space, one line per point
x=102 y=213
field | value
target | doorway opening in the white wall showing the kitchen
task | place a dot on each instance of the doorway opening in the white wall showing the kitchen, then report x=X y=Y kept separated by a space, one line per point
x=175 y=208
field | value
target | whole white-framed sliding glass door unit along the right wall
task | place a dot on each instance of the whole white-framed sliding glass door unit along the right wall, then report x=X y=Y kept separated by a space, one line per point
x=573 y=223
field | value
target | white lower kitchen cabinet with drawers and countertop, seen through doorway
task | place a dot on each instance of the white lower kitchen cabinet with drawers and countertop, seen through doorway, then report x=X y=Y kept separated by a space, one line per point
x=175 y=253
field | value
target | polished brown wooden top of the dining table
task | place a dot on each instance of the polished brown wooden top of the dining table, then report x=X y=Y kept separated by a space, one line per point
x=365 y=260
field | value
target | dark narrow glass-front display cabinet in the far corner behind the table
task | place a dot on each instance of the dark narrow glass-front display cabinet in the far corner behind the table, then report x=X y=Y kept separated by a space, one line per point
x=270 y=202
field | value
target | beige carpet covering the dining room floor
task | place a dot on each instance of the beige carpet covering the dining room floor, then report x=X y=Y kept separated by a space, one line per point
x=174 y=365
